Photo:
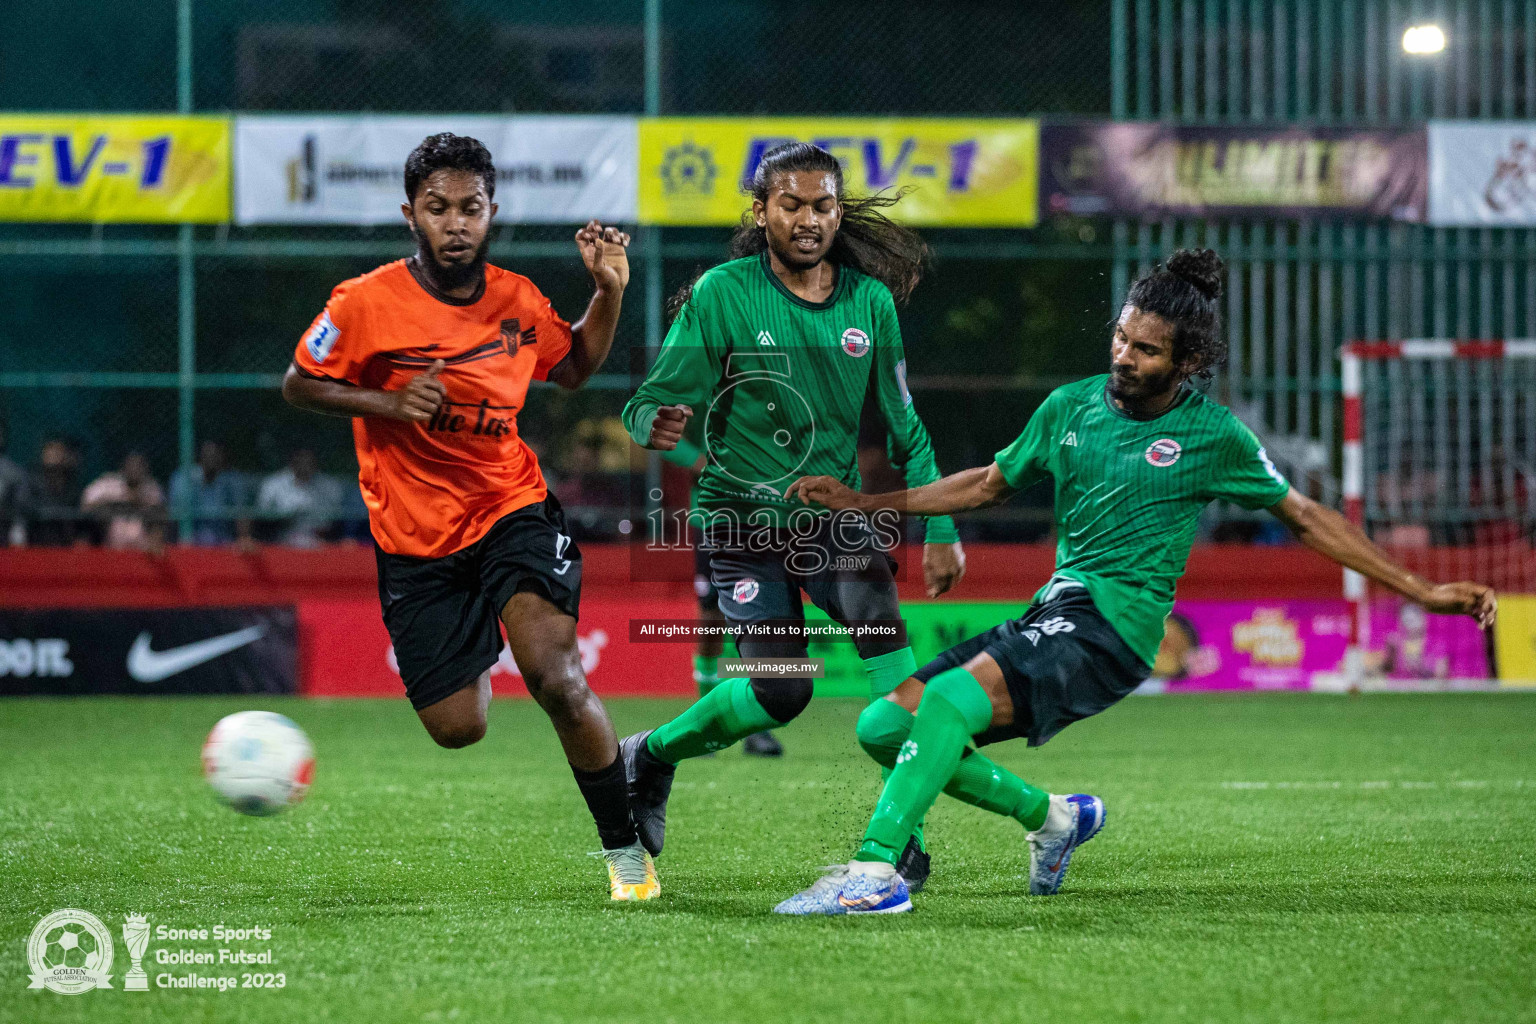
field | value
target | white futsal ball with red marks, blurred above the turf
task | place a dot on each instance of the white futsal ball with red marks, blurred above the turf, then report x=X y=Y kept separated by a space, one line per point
x=259 y=762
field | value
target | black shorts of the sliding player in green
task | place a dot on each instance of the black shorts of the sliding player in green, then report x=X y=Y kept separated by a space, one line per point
x=1062 y=662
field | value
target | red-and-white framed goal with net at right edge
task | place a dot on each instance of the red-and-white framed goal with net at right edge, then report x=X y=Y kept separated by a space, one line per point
x=1440 y=469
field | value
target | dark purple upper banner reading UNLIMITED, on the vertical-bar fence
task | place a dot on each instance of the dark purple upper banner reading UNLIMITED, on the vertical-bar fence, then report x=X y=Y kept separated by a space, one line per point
x=1150 y=171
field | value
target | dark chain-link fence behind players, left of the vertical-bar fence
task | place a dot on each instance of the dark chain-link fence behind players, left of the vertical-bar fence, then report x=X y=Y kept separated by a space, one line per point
x=94 y=349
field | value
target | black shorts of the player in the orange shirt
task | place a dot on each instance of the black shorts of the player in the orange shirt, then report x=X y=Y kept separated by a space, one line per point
x=445 y=615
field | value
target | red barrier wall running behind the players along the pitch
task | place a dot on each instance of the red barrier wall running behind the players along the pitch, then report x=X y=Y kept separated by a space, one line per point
x=346 y=652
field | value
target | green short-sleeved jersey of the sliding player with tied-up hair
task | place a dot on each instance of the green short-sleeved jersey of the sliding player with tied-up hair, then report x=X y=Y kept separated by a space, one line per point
x=1130 y=494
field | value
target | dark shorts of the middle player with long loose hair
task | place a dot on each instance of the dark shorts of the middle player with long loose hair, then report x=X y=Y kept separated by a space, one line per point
x=841 y=567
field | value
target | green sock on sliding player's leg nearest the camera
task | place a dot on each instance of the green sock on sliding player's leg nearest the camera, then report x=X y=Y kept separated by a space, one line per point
x=953 y=710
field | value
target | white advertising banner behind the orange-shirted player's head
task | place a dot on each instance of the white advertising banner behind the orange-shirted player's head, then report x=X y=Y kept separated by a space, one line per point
x=349 y=170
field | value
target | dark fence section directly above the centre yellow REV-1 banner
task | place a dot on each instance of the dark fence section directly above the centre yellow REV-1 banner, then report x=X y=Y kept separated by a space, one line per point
x=859 y=58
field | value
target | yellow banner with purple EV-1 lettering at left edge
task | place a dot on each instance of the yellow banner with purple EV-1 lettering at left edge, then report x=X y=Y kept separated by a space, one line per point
x=107 y=168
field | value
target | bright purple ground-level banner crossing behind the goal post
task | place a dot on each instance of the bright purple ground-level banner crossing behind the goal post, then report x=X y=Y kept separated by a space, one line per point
x=1297 y=644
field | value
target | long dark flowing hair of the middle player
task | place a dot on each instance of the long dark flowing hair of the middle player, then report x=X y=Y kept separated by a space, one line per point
x=867 y=240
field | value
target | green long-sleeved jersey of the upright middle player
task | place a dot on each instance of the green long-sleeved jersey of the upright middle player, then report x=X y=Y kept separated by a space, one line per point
x=780 y=385
